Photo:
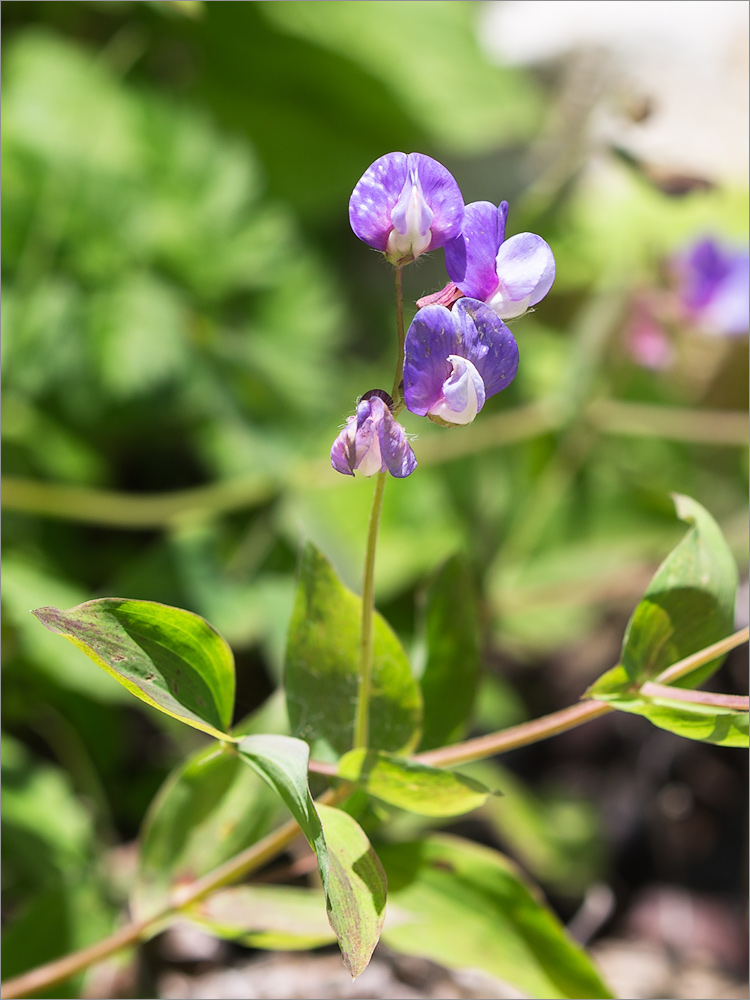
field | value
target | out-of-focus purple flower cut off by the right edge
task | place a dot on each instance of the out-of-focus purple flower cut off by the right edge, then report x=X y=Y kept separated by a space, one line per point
x=714 y=287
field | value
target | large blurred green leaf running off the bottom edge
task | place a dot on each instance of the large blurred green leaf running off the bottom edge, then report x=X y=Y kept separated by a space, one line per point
x=467 y=906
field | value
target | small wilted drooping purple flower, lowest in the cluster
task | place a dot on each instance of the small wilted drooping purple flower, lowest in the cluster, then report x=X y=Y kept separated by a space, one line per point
x=373 y=441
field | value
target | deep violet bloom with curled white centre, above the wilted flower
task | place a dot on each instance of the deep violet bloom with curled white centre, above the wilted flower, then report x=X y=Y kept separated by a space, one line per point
x=455 y=359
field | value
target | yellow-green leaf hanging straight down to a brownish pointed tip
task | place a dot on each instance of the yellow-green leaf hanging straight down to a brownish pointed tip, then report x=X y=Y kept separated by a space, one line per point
x=356 y=889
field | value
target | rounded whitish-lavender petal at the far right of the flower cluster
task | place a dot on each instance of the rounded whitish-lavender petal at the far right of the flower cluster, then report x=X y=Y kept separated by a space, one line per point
x=526 y=272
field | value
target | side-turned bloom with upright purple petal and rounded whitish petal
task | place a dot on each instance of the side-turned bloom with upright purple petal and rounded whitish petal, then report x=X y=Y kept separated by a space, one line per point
x=509 y=275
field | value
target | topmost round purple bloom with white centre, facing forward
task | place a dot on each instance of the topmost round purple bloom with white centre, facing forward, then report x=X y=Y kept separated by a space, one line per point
x=405 y=206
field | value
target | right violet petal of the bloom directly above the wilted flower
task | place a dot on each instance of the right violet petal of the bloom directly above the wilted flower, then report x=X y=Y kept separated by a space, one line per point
x=487 y=342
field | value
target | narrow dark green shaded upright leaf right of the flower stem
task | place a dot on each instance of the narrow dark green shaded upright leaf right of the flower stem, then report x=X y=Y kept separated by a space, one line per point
x=449 y=680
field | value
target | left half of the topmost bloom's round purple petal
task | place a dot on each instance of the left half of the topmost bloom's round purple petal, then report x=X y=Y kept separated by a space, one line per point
x=375 y=197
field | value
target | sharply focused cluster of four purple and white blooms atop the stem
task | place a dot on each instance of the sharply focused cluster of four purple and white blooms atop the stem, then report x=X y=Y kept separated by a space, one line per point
x=458 y=351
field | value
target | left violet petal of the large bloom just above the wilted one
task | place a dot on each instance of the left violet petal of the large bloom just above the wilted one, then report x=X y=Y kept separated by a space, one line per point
x=429 y=340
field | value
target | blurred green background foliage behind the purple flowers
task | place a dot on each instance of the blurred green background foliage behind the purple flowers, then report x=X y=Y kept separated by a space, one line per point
x=184 y=306
